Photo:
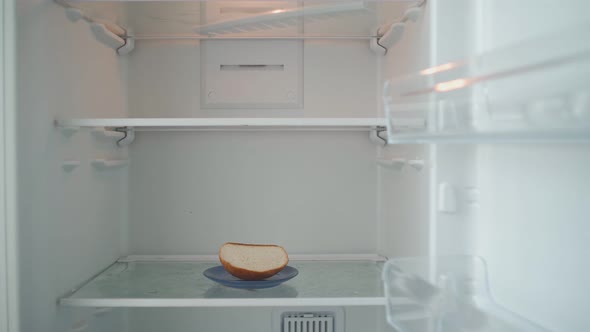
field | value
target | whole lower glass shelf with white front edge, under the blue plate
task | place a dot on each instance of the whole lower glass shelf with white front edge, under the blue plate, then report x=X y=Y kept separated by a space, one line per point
x=175 y=283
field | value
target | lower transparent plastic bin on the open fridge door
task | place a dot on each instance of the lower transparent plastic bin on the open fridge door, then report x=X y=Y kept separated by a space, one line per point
x=445 y=294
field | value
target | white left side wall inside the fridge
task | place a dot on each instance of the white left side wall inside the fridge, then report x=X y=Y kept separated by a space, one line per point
x=69 y=223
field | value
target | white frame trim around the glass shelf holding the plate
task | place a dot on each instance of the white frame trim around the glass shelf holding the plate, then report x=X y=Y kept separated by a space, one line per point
x=224 y=302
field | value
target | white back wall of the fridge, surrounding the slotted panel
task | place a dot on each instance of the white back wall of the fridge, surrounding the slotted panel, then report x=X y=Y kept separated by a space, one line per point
x=311 y=192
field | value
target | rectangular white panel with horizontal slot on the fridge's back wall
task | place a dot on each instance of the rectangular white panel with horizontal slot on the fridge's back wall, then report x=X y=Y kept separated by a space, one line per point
x=252 y=74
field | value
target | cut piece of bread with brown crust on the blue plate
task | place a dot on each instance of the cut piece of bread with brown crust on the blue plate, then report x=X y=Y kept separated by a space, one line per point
x=253 y=261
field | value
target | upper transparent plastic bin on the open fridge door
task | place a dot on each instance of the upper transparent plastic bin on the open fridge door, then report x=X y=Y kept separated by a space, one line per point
x=535 y=91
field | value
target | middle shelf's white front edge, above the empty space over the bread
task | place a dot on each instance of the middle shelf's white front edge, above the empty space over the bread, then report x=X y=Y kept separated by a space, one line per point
x=220 y=124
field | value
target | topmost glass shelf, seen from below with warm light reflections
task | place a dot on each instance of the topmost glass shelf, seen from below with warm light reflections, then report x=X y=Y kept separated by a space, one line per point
x=224 y=19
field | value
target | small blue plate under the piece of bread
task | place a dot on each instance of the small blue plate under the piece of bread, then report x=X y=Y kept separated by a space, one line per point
x=220 y=275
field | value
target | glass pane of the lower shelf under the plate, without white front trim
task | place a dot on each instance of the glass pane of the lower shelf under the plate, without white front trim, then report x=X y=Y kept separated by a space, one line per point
x=185 y=280
